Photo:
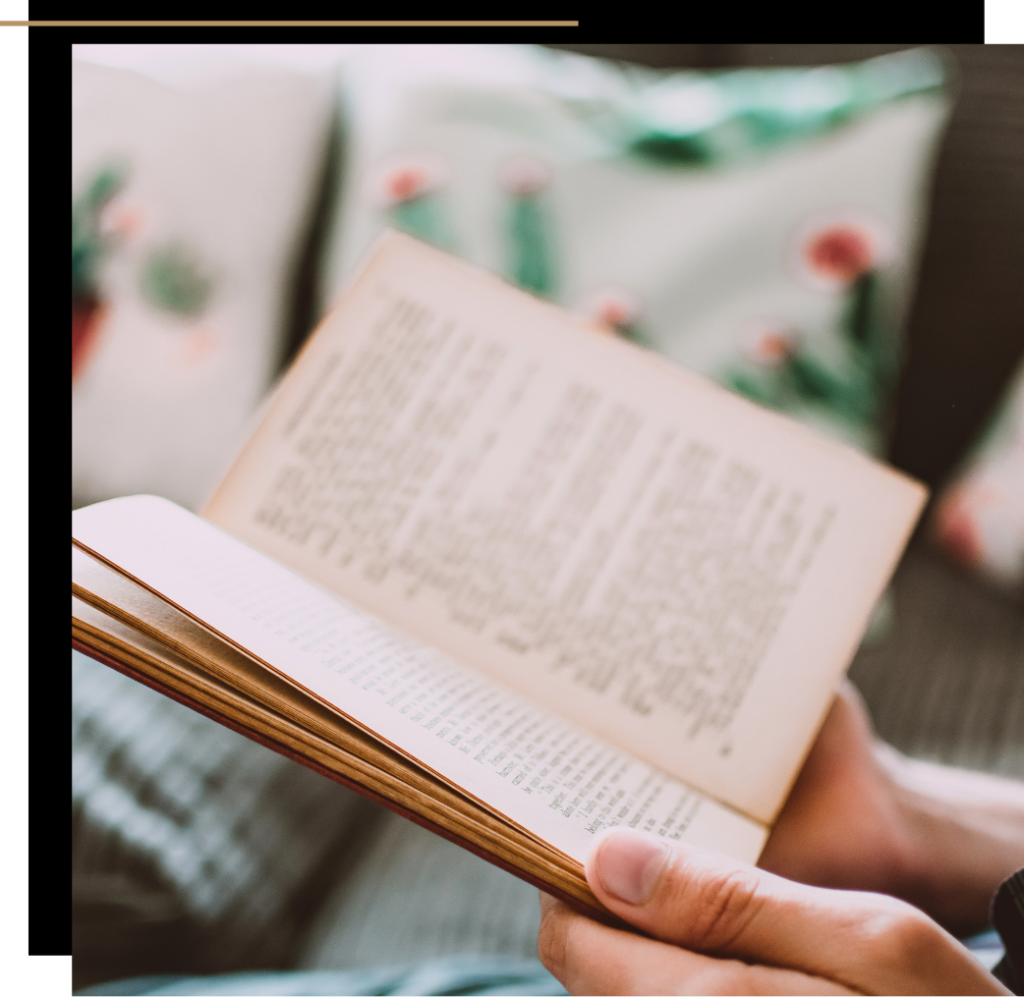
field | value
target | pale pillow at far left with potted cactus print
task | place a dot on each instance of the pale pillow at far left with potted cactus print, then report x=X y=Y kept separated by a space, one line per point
x=190 y=194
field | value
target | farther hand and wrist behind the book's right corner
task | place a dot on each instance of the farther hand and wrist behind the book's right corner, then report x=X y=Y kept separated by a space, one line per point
x=862 y=816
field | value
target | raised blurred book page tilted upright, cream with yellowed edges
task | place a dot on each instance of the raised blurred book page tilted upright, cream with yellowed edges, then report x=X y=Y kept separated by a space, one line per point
x=676 y=570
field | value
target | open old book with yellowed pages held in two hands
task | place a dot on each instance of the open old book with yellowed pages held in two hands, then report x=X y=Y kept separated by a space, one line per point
x=514 y=579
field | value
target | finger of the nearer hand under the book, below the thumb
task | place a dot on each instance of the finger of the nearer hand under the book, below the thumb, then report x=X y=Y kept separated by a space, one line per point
x=590 y=959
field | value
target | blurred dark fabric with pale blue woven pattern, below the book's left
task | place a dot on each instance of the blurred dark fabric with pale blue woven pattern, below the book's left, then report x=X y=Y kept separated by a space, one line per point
x=194 y=850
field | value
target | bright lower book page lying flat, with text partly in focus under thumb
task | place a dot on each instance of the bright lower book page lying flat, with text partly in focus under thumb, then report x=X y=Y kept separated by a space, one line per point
x=546 y=775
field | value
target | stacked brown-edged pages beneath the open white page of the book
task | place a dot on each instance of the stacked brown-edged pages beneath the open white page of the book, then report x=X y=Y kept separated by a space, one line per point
x=311 y=729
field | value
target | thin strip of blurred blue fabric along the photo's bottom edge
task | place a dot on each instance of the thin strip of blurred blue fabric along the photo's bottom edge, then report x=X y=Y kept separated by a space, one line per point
x=450 y=976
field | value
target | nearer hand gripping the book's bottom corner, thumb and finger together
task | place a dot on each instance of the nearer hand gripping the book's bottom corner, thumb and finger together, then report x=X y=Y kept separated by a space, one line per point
x=721 y=927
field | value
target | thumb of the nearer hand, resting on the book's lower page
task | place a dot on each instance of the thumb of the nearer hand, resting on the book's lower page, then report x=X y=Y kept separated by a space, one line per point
x=711 y=904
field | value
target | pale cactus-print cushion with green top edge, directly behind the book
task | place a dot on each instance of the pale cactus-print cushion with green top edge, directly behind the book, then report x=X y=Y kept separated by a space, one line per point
x=759 y=226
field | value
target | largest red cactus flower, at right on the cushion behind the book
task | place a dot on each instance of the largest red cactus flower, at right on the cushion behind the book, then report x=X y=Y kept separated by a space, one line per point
x=833 y=252
